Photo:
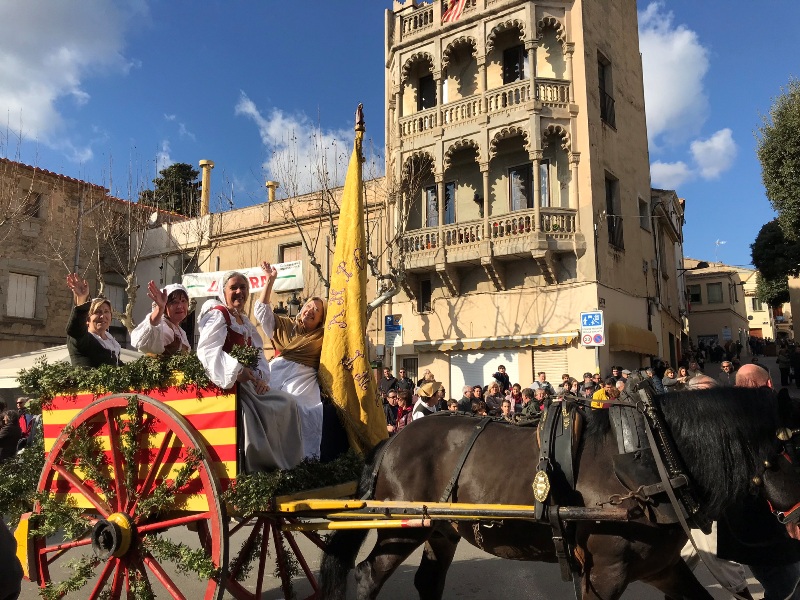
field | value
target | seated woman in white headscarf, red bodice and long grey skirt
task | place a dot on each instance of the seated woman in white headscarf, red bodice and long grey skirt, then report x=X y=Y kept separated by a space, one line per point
x=271 y=421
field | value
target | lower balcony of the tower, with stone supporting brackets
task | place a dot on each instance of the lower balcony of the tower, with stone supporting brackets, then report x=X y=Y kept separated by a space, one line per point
x=510 y=236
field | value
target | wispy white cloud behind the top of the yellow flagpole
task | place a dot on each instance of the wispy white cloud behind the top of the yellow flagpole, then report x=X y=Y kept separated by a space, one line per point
x=301 y=153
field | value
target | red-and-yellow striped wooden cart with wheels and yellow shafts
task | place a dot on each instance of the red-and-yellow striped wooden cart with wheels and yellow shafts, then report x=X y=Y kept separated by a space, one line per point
x=141 y=478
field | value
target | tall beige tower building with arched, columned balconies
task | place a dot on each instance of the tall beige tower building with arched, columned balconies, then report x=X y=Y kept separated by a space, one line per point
x=518 y=133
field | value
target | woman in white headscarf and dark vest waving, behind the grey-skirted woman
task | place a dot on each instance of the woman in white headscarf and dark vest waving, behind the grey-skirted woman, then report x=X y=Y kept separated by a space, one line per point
x=160 y=332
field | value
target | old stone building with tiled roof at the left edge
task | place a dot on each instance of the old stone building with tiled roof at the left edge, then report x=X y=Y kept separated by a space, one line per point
x=42 y=238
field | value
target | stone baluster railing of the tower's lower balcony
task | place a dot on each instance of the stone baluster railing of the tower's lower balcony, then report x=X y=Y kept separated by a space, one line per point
x=557 y=223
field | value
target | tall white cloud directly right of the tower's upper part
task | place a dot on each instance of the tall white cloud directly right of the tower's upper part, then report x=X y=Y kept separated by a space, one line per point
x=674 y=63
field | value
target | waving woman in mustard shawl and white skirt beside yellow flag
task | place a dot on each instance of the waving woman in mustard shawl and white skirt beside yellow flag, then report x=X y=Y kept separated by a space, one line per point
x=298 y=346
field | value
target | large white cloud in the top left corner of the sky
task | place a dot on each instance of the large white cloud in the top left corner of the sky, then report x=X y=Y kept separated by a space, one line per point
x=47 y=50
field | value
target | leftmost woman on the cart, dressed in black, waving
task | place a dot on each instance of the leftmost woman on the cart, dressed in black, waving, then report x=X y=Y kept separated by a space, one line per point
x=88 y=342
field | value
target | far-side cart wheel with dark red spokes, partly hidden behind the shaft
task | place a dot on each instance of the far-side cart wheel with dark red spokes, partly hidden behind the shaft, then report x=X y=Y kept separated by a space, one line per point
x=268 y=551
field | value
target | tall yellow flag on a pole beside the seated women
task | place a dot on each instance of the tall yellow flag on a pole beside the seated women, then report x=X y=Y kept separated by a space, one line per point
x=344 y=371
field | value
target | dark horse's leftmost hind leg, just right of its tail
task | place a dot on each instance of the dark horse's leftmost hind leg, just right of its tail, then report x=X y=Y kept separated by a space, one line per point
x=391 y=549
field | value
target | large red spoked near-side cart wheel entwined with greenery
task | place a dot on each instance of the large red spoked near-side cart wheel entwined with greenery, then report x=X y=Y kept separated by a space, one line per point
x=153 y=482
